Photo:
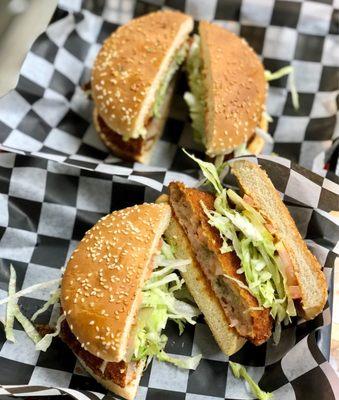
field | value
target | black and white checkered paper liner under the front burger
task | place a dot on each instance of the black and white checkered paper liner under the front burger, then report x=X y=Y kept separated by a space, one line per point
x=46 y=207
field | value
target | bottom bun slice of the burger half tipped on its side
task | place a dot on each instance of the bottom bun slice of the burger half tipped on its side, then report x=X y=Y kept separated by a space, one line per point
x=226 y=337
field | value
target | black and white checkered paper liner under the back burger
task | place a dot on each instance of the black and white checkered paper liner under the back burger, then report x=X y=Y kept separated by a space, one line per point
x=48 y=115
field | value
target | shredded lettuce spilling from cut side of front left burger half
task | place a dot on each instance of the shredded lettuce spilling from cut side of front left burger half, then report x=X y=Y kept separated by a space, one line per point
x=159 y=304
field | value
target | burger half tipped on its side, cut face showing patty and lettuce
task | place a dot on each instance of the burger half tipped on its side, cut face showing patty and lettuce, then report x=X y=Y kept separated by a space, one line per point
x=251 y=271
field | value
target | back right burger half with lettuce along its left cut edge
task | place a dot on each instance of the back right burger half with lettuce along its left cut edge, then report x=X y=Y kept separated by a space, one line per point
x=227 y=93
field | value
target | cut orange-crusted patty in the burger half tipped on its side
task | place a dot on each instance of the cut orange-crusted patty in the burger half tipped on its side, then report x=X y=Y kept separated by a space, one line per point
x=240 y=307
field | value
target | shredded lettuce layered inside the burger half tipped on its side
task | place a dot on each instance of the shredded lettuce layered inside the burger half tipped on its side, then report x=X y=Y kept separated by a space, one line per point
x=243 y=230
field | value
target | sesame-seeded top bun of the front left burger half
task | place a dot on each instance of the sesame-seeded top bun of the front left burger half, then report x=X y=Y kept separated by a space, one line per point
x=101 y=287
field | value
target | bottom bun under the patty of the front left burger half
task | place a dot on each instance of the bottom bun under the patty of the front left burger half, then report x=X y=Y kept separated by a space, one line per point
x=128 y=392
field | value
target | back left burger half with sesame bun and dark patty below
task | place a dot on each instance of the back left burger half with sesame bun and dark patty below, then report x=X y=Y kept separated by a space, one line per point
x=133 y=80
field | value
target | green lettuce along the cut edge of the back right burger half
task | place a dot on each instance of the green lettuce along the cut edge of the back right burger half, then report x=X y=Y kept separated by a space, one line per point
x=195 y=99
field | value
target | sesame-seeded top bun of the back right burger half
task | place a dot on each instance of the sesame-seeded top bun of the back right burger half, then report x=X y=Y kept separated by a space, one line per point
x=236 y=88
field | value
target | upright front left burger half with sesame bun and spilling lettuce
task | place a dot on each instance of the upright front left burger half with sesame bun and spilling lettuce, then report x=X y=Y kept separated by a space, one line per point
x=117 y=294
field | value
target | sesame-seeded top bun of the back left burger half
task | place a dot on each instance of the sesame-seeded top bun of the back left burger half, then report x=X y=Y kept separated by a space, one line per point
x=129 y=67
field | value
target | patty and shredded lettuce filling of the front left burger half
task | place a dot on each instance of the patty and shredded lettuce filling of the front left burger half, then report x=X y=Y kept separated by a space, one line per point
x=160 y=303
